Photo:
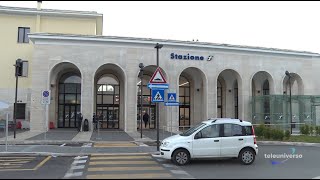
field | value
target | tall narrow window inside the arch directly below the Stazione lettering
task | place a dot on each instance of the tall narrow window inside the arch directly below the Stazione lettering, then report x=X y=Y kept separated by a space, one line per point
x=184 y=99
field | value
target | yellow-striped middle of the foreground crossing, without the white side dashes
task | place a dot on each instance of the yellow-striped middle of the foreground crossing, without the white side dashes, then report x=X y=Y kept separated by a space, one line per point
x=130 y=166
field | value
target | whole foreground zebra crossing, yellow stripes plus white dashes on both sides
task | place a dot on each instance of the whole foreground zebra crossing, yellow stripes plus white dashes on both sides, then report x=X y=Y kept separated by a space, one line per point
x=124 y=166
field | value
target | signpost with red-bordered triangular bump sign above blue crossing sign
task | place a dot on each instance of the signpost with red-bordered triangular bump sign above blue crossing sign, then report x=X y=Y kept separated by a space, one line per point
x=157 y=84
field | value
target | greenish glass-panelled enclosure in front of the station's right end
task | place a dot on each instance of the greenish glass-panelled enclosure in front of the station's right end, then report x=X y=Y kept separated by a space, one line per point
x=275 y=110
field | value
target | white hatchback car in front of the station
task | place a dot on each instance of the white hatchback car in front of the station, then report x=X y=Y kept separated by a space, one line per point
x=218 y=137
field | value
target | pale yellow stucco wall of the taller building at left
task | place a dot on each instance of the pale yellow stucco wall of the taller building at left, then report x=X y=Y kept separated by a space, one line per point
x=11 y=50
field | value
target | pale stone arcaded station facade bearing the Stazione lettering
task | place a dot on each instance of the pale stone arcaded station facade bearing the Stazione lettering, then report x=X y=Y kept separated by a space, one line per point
x=100 y=74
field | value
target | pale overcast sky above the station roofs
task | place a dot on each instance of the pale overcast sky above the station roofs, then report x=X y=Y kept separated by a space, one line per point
x=285 y=25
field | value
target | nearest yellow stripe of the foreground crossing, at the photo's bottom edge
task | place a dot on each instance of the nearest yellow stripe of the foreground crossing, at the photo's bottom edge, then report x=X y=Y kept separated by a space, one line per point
x=130 y=176
